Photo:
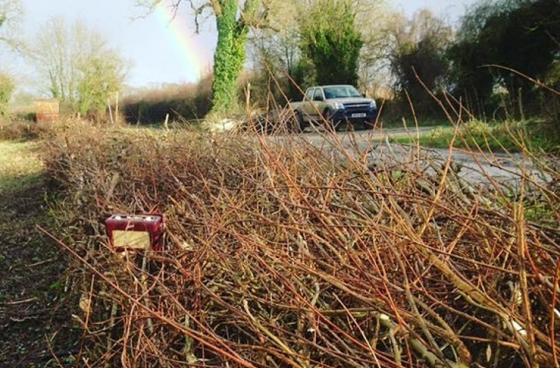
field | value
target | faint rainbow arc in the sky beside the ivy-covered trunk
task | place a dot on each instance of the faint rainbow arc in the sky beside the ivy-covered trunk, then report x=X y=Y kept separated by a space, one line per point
x=182 y=37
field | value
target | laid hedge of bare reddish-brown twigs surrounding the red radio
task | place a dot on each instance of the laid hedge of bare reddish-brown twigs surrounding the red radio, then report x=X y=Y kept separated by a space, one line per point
x=285 y=254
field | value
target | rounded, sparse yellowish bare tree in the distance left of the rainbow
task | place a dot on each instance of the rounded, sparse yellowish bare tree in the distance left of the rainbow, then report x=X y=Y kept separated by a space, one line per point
x=77 y=65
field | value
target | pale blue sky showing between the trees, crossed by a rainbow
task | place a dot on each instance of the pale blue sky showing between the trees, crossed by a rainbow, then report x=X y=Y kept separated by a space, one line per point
x=161 y=49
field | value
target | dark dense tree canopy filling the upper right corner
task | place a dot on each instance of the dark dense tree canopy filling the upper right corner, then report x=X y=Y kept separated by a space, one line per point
x=503 y=42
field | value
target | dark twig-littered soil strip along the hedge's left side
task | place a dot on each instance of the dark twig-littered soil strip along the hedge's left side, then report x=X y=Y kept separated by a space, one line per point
x=36 y=326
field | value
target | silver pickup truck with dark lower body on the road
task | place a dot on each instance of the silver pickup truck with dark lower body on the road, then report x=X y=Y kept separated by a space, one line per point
x=334 y=104
